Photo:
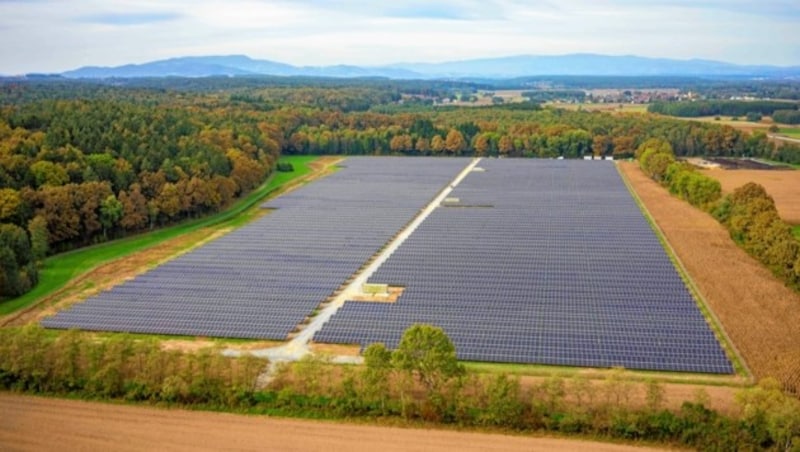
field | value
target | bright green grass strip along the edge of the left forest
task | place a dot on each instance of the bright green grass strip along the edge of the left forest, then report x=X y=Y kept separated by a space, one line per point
x=61 y=268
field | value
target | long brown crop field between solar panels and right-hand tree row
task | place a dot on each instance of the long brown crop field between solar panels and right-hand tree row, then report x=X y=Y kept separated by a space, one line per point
x=759 y=314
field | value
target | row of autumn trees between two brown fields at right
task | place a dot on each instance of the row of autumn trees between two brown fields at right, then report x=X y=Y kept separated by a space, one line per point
x=749 y=213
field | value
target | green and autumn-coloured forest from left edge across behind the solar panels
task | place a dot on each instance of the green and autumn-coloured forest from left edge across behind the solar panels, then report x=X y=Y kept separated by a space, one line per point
x=82 y=163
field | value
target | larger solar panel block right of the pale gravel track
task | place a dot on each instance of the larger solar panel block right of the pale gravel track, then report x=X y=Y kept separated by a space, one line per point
x=562 y=269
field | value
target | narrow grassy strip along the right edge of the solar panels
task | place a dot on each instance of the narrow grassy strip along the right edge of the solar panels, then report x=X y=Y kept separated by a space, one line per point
x=739 y=364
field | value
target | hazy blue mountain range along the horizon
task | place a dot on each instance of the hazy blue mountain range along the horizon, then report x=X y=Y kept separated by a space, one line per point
x=492 y=68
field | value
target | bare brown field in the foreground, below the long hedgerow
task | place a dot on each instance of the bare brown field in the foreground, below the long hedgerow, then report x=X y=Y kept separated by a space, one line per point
x=33 y=423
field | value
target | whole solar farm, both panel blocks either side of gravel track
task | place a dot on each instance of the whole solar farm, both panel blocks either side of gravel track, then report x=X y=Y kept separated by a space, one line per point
x=528 y=261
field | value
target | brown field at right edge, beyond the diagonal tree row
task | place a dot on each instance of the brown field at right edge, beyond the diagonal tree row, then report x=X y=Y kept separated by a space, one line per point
x=783 y=186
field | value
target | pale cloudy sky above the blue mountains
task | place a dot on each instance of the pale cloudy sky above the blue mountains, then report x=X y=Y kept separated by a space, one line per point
x=59 y=35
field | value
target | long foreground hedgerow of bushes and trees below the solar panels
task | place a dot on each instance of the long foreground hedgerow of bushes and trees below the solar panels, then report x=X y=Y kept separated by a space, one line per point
x=419 y=381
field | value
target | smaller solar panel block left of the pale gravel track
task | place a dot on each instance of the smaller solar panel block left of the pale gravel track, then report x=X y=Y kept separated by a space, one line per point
x=264 y=279
